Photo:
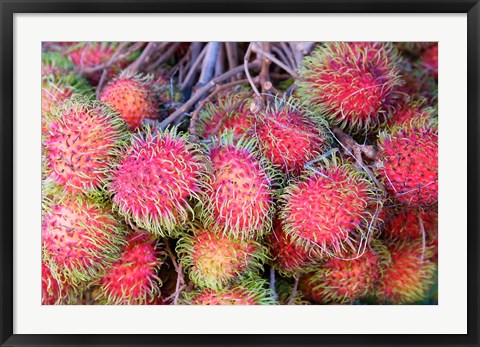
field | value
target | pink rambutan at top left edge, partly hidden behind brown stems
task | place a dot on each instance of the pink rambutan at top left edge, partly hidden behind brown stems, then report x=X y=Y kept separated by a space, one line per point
x=92 y=54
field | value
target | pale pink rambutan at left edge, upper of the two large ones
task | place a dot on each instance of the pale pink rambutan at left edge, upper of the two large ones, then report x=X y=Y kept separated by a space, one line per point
x=82 y=143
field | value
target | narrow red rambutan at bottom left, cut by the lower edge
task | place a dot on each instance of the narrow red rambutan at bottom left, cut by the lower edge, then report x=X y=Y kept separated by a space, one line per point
x=133 y=280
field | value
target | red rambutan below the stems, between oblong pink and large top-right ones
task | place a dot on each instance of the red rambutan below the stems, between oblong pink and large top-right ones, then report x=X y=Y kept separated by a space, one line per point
x=289 y=139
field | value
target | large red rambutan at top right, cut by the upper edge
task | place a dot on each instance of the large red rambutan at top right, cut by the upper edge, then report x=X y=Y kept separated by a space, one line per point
x=352 y=84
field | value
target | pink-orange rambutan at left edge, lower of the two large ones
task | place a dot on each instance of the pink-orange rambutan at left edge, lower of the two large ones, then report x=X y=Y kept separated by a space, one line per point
x=80 y=238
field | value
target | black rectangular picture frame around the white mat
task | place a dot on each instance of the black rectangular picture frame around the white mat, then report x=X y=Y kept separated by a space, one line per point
x=8 y=8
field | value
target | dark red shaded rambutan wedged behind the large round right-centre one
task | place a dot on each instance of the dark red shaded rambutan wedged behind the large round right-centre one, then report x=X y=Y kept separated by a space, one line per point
x=288 y=257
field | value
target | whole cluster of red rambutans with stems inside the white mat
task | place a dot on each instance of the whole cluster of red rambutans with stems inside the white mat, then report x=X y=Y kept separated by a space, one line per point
x=319 y=188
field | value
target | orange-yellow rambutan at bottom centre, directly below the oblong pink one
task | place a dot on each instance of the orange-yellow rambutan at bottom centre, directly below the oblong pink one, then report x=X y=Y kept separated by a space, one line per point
x=213 y=260
